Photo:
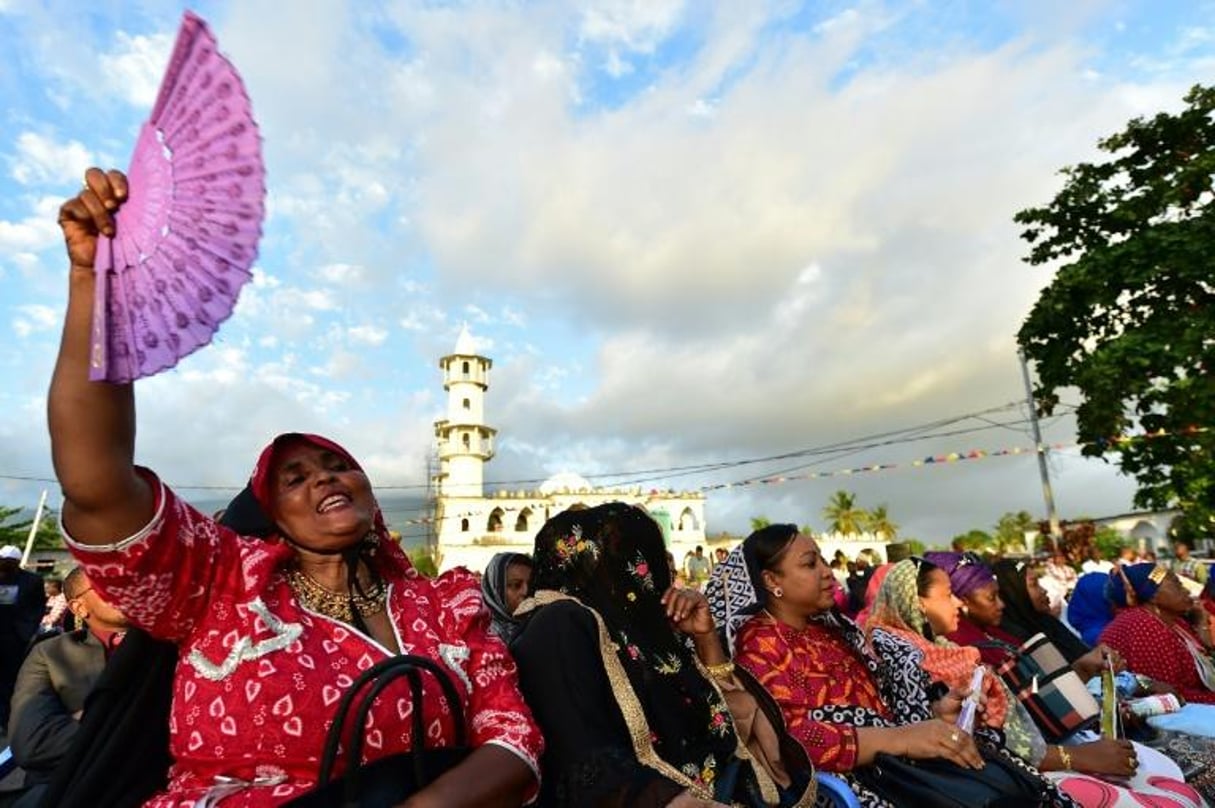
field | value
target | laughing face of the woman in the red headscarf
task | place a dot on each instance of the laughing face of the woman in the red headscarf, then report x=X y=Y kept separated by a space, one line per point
x=319 y=499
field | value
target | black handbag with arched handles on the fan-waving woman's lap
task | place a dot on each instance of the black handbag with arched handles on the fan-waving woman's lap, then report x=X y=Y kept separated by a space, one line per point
x=389 y=779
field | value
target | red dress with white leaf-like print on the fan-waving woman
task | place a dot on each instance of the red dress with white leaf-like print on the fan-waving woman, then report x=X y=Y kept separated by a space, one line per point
x=259 y=676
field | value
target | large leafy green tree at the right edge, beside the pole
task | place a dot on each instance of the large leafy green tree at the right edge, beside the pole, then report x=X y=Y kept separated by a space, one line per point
x=1129 y=317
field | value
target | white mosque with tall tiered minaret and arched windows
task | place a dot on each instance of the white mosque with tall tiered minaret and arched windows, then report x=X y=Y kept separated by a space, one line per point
x=472 y=527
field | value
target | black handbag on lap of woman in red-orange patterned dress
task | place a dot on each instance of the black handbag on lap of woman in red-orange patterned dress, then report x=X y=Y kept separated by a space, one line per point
x=943 y=784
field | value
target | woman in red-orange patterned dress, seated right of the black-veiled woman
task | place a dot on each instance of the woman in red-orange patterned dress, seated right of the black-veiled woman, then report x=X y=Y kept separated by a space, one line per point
x=845 y=699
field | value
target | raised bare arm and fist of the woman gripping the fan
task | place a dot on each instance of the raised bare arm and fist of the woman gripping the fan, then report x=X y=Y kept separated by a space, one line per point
x=93 y=423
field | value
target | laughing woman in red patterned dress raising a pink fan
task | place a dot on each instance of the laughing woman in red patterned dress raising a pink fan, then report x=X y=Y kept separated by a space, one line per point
x=270 y=632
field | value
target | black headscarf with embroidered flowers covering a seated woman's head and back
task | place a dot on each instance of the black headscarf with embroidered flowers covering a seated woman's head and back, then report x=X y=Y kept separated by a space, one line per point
x=613 y=560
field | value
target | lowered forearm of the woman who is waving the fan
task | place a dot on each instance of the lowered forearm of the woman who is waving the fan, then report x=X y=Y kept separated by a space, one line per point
x=490 y=777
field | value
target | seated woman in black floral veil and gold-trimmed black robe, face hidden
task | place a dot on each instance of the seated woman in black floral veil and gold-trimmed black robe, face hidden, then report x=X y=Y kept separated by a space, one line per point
x=631 y=714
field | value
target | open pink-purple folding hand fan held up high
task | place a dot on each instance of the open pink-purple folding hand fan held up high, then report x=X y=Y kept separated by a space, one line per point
x=189 y=233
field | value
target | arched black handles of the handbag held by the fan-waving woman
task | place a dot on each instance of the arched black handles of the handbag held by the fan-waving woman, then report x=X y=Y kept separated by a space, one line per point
x=380 y=677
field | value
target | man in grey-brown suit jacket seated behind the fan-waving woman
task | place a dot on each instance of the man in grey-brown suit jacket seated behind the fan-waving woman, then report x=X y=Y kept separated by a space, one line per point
x=56 y=680
